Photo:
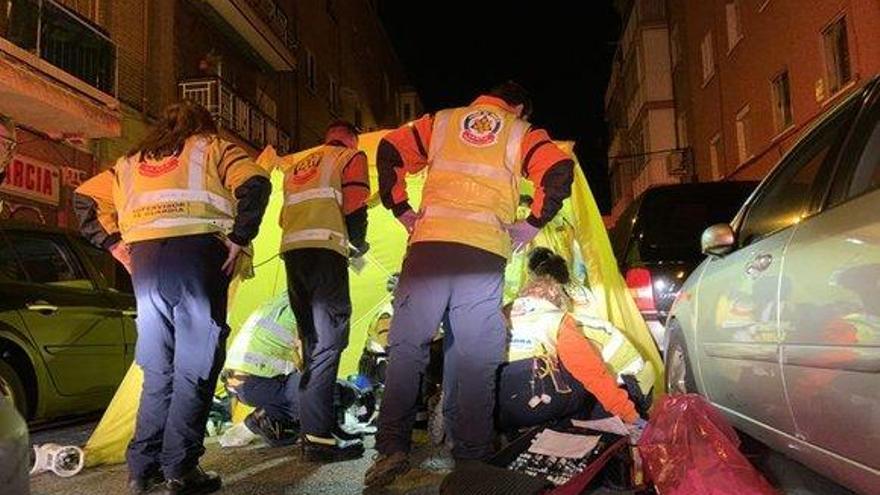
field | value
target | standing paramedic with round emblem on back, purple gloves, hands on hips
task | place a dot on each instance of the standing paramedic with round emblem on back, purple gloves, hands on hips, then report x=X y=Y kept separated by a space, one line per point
x=460 y=240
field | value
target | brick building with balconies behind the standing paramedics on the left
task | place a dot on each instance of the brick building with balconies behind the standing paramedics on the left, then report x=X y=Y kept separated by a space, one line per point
x=272 y=71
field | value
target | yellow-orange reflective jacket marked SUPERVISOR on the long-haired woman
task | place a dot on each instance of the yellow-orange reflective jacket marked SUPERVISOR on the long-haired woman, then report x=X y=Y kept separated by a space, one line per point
x=184 y=194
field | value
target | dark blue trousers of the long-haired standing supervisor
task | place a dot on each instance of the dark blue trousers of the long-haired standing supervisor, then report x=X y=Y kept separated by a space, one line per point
x=181 y=297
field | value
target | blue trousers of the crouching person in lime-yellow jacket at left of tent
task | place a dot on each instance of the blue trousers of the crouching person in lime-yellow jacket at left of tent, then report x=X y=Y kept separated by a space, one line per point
x=278 y=396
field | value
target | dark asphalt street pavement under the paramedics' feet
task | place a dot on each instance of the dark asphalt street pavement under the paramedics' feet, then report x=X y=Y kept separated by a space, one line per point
x=258 y=470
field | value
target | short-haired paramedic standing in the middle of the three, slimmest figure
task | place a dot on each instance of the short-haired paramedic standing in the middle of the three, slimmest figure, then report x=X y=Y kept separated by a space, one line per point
x=324 y=222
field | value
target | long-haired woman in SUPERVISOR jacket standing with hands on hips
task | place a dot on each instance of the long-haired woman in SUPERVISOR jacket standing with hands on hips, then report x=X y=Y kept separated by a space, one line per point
x=177 y=211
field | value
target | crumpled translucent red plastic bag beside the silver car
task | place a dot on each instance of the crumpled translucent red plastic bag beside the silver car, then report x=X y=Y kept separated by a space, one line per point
x=689 y=449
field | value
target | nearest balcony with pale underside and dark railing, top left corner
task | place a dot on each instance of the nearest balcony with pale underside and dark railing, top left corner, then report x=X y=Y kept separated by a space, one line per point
x=57 y=70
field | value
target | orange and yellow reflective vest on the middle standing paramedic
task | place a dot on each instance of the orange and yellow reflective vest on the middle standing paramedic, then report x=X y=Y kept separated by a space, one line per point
x=312 y=216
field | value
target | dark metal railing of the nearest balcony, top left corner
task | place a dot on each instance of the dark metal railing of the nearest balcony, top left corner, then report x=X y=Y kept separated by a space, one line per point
x=59 y=36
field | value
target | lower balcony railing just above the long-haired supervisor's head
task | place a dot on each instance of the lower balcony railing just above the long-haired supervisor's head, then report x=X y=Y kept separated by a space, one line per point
x=236 y=114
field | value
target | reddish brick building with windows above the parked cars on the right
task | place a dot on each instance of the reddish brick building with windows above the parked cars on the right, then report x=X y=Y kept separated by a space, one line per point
x=747 y=77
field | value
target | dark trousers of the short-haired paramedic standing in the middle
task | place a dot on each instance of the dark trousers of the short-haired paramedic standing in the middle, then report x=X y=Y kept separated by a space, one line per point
x=317 y=283
